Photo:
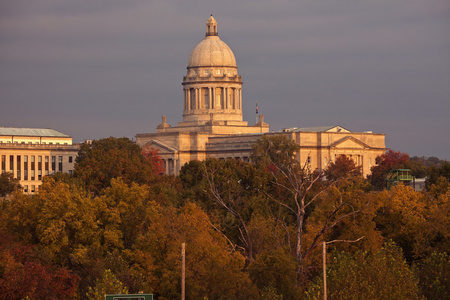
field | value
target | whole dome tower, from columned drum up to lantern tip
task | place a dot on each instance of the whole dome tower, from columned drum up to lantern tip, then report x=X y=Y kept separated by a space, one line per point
x=212 y=87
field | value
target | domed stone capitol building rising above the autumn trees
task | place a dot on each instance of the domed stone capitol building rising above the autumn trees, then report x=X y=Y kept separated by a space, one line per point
x=213 y=125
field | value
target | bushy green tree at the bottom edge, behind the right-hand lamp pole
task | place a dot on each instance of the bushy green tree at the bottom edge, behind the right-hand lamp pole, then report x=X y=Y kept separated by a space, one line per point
x=380 y=275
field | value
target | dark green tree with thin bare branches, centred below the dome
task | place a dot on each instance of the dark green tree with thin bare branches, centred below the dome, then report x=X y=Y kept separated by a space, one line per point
x=231 y=191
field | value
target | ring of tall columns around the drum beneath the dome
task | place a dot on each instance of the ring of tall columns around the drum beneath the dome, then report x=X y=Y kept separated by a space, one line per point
x=212 y=98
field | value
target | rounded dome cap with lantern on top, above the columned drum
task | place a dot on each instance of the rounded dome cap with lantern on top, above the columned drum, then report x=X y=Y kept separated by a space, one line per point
x=212 y=51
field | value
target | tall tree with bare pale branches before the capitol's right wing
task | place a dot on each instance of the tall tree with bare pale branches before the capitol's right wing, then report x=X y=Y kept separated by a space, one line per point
x=297 y=189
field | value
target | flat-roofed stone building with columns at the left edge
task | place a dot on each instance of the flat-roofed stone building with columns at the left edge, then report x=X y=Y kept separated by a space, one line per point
x=32 y=153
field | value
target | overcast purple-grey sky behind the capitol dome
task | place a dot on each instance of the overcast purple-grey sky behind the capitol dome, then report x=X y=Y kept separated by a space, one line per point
x=98 y=68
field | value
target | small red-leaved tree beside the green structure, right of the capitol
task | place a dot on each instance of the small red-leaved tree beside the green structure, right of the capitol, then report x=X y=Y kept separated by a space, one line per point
x=391 y=160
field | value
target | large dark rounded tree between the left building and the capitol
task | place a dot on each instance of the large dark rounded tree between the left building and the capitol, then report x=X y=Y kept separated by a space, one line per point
x=105 y=159
